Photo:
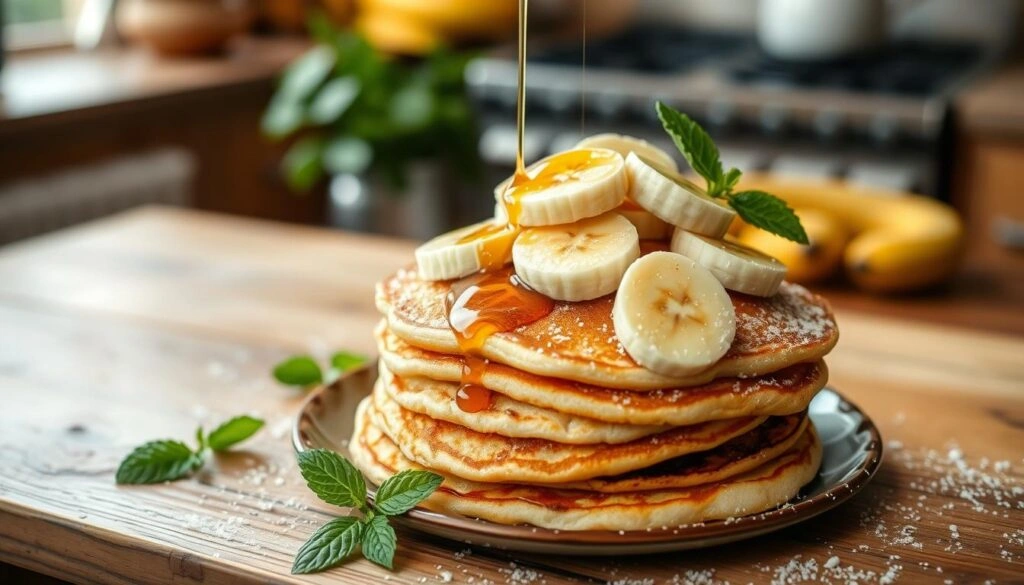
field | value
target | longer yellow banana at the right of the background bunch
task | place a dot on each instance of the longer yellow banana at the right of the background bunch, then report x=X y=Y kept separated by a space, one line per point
x=900 y=242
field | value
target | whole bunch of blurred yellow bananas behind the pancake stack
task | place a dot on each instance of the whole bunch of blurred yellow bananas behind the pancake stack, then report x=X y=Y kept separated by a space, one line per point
x=888 y=242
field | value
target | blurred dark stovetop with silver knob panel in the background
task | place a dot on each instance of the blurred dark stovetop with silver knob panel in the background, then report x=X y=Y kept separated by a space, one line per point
x=723 y=79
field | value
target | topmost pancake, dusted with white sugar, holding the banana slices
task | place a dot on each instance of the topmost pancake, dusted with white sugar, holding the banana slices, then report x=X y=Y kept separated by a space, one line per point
x=577 y=341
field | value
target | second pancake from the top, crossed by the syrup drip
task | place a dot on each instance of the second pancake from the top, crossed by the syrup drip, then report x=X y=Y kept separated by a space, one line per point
x=787 y=392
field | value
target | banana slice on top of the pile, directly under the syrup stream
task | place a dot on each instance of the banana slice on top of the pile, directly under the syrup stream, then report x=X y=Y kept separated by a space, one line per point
x=568 y=187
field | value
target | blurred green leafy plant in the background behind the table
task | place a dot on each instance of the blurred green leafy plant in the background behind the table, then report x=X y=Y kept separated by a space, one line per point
x=355 y=110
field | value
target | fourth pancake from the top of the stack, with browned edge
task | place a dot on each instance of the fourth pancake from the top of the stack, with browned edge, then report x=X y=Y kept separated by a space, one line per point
x=458 y=451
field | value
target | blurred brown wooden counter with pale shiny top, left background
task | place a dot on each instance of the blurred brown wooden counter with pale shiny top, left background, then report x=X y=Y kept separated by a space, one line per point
x=70 y=110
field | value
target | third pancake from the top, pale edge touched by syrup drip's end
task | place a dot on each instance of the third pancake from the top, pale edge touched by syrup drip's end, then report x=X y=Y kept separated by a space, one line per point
x=506 y=416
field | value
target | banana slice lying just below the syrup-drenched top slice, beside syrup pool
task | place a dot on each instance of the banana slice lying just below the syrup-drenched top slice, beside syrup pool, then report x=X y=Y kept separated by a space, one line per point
x=578 y=262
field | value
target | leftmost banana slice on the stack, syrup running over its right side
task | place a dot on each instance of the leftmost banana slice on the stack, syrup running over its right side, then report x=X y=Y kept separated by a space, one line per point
x=465 y=252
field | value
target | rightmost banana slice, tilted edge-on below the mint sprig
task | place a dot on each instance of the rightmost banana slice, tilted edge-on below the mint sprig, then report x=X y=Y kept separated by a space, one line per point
x=737 y=267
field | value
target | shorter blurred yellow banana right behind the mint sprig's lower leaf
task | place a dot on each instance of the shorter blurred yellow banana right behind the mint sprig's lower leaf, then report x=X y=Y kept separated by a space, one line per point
x=819 y=261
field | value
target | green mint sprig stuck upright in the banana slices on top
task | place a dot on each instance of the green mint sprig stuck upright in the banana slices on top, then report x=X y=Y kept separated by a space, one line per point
x=755 y=207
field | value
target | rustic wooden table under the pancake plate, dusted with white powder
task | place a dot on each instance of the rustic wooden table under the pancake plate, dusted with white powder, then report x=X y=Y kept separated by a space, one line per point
x=145 y=325
